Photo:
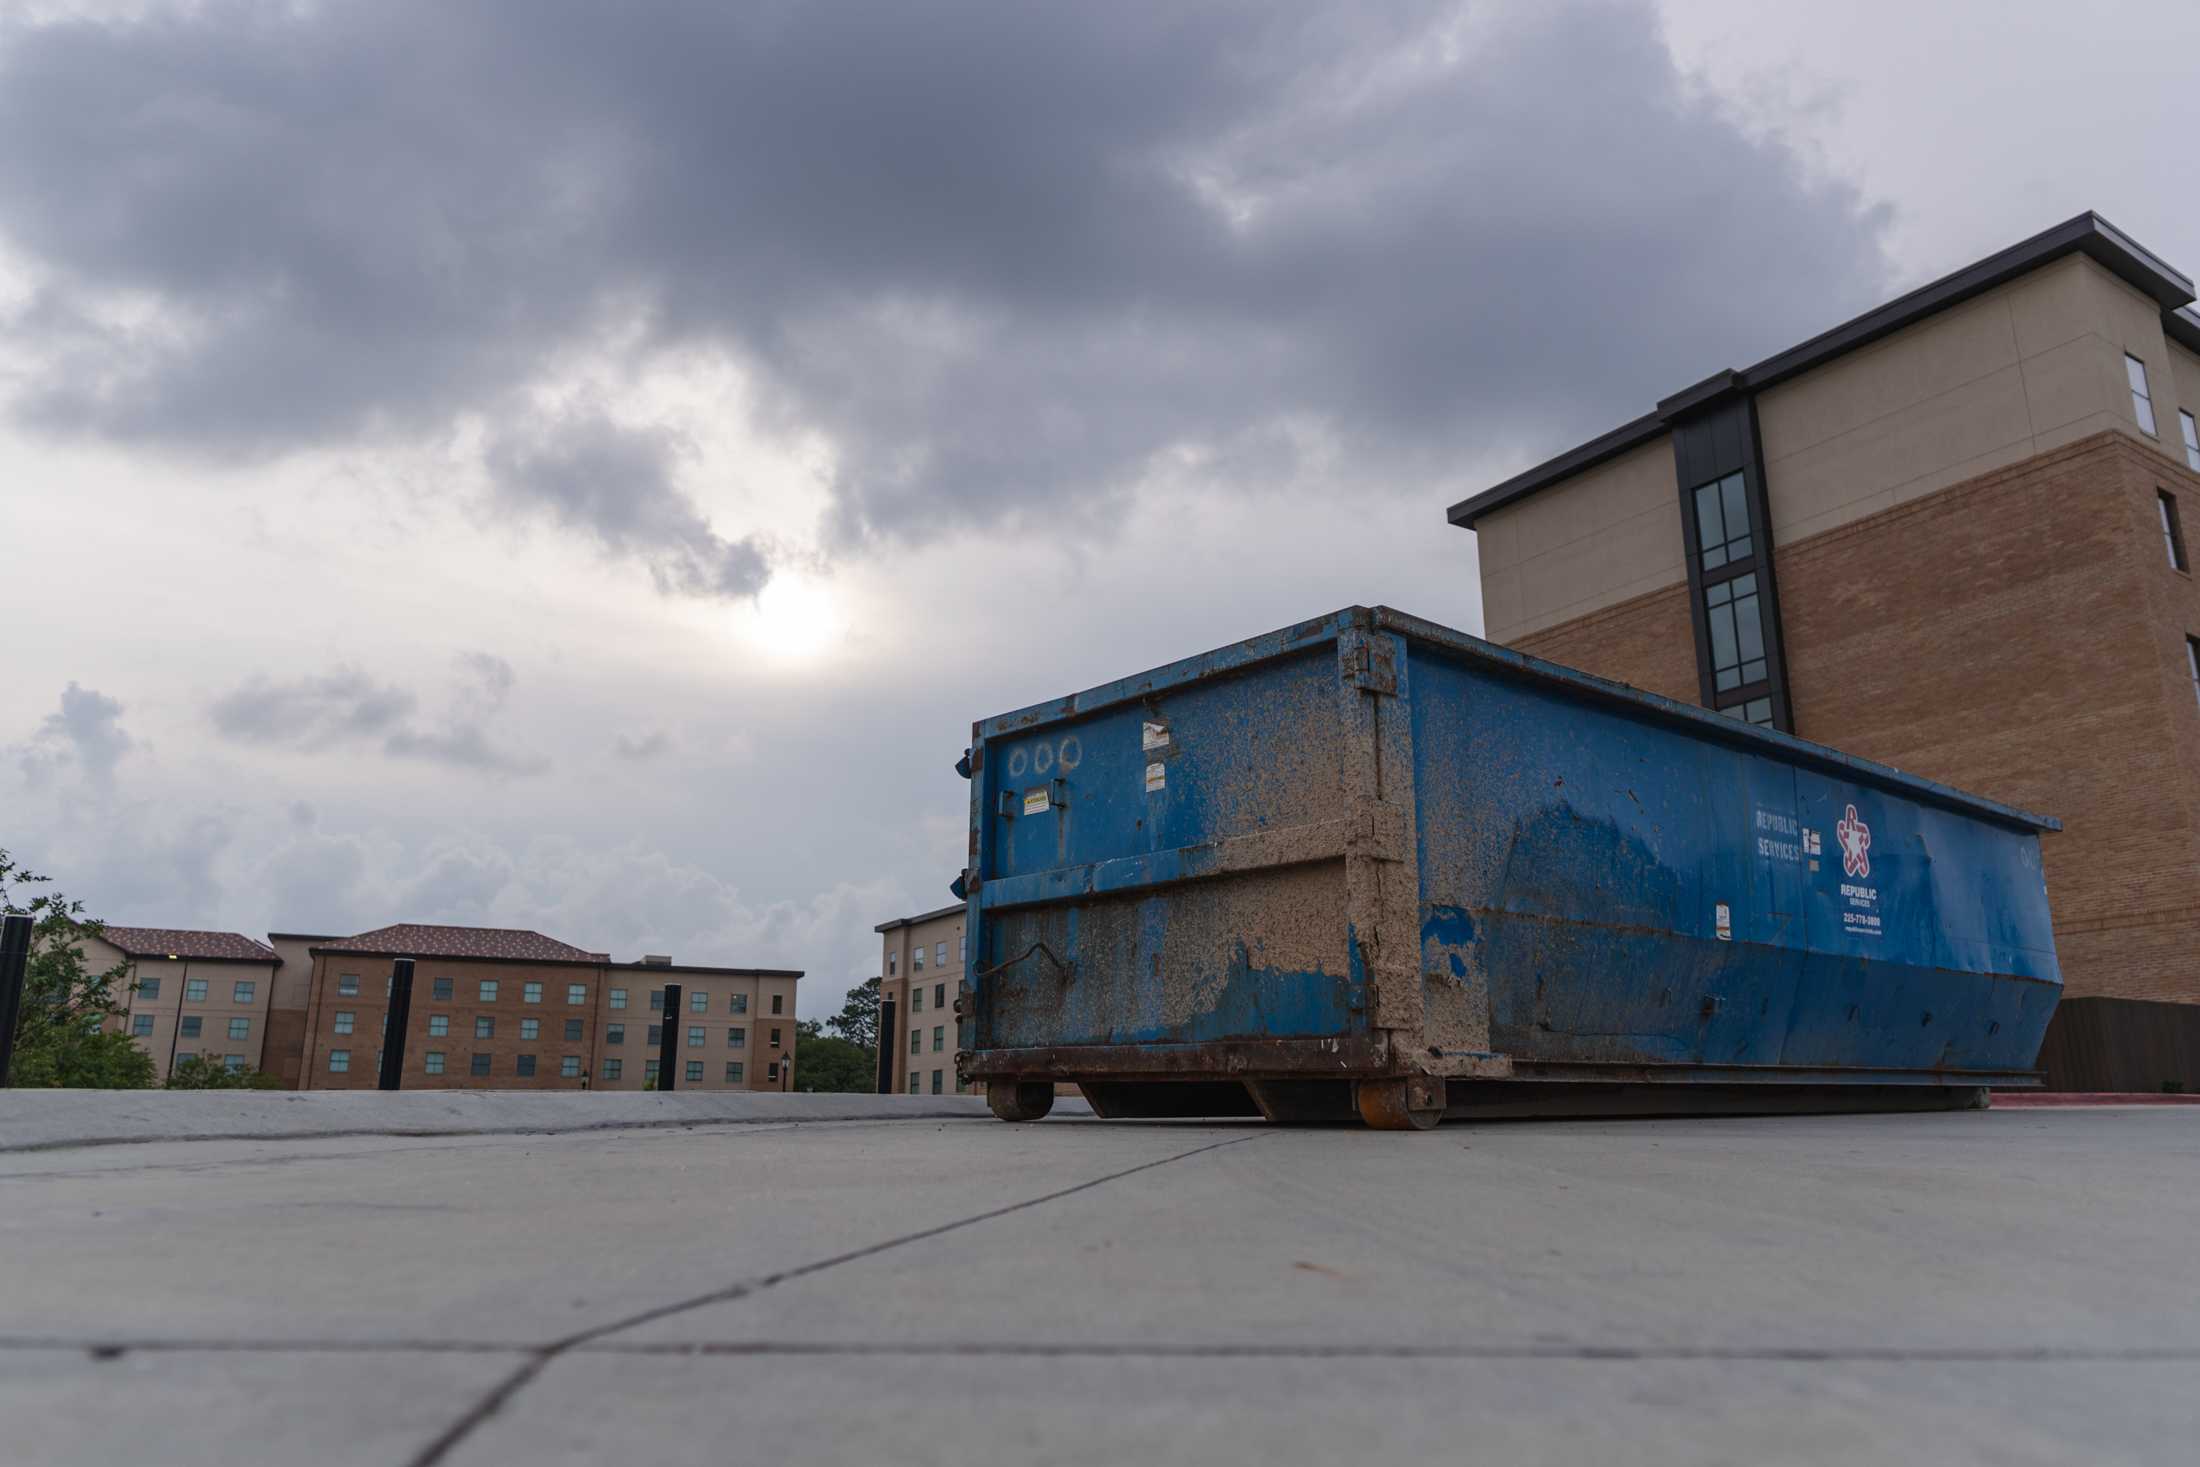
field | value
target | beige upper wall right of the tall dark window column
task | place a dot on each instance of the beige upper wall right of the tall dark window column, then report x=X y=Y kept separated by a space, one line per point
x=2021 y=371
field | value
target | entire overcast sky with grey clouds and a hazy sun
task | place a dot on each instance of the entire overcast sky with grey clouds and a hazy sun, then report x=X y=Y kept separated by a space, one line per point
x=584 y=467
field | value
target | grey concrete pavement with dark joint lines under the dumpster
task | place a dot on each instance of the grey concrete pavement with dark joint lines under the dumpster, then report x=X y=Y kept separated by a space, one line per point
x=1972 y=1288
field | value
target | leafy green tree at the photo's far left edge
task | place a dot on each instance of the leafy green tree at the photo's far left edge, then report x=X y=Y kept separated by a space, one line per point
x=63 y=1037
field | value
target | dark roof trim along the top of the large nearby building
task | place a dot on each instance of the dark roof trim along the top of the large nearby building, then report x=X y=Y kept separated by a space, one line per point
x=2087 y=234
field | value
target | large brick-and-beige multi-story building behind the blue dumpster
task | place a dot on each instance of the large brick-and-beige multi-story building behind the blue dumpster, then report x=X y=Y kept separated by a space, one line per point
x=1946 y=536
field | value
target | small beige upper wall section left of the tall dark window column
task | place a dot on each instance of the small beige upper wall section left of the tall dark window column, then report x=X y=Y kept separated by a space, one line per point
x=1594 y=542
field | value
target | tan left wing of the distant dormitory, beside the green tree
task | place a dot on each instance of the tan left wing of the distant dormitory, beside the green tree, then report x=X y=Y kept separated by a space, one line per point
x=190 y=993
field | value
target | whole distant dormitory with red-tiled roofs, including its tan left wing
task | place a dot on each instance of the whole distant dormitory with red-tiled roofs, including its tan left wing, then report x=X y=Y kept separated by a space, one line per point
x=494 y=1008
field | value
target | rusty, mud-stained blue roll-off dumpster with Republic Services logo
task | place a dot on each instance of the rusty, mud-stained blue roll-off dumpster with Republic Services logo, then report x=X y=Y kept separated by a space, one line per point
x=1374 y=868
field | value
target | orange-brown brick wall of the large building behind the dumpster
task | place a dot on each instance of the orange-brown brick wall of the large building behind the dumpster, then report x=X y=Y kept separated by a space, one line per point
x=2018 y=637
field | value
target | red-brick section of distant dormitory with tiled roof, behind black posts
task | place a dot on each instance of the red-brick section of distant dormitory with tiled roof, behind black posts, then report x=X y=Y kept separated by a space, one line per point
x=505 y=1008
